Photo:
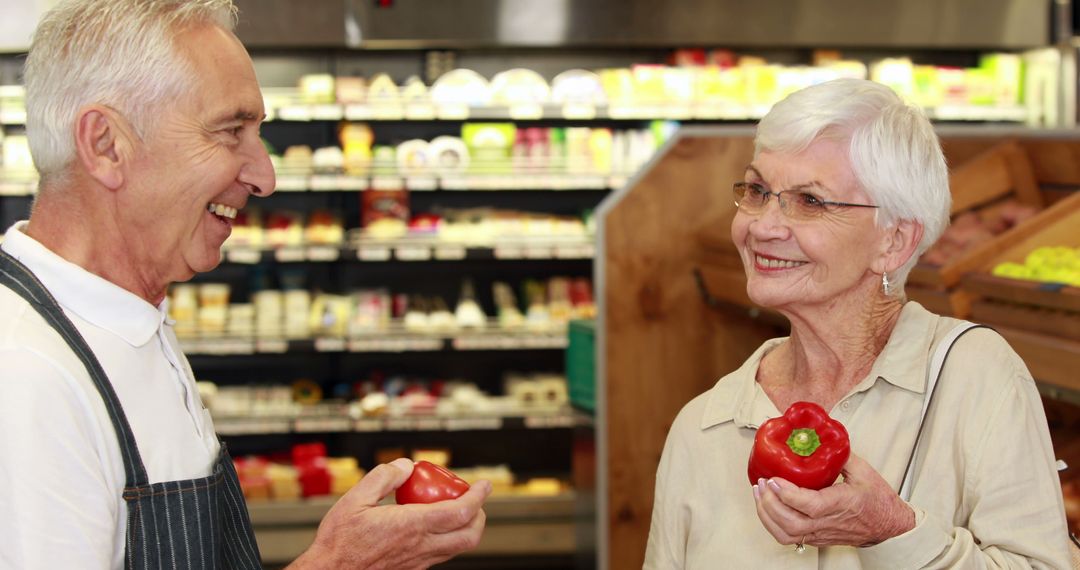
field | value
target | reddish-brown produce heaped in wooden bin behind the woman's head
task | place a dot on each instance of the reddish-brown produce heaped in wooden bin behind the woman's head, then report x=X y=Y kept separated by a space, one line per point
x=973 y=228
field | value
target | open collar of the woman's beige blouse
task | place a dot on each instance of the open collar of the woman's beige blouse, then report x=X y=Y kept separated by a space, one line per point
x=902 y=363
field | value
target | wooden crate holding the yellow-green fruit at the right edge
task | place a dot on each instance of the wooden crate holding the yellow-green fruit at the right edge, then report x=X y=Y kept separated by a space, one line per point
x=1042 y=321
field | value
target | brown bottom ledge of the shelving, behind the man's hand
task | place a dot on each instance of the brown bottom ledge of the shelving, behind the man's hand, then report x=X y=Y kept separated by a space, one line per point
x=517 y=525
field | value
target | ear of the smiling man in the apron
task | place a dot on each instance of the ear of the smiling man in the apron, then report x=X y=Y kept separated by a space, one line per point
x=100 y=141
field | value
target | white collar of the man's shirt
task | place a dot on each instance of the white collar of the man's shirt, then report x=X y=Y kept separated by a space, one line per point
x=93 y=298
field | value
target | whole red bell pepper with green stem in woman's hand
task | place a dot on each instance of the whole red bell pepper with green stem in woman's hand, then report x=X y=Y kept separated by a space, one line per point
x=804 y=446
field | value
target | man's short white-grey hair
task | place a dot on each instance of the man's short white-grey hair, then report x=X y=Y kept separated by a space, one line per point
x=118 y=53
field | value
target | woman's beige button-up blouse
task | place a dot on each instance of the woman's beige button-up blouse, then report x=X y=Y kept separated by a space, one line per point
x=985 y=494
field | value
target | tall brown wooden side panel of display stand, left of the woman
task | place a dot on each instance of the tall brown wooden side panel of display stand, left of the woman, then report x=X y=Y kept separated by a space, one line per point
x=659 y=344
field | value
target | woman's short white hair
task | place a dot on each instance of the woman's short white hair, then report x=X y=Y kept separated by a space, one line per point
x=895 y=153
